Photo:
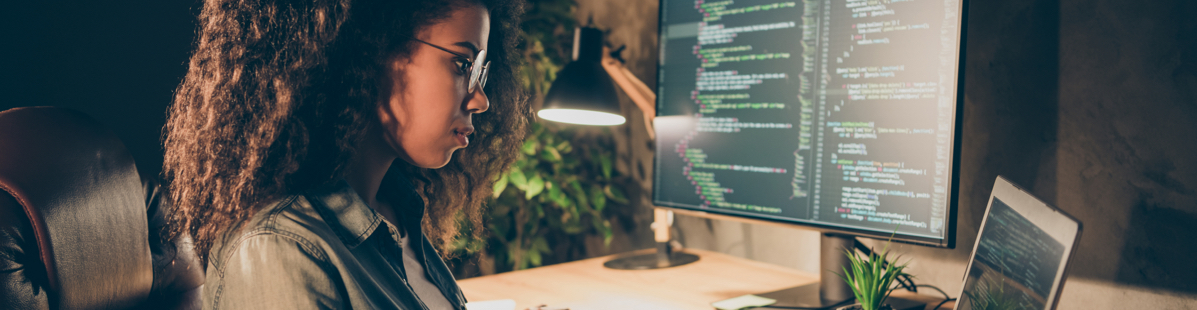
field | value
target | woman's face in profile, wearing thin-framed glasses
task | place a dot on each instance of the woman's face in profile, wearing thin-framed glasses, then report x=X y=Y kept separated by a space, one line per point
x=428 y=114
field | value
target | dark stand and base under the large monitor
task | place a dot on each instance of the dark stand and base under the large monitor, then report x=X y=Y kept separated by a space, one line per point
x=831 y=291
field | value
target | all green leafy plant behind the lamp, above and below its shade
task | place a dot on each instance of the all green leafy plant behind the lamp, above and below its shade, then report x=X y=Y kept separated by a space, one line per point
x=563 y=189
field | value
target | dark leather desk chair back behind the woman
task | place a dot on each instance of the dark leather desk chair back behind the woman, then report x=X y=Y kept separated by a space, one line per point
x=78 y=227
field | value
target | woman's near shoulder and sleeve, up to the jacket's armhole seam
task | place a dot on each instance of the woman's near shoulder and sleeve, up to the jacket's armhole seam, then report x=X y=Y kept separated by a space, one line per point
x=281 y=259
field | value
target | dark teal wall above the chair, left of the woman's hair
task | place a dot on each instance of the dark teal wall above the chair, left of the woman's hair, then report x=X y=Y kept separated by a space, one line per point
x=118 y=62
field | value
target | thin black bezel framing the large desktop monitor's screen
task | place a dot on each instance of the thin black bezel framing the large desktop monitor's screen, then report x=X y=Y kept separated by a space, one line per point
x=950 y=236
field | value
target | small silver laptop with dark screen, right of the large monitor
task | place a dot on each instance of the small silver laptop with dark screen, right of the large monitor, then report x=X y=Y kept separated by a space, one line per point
x=1022 y=256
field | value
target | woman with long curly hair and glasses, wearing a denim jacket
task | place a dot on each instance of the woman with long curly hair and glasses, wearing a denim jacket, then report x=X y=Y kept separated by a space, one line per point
x=312 y=149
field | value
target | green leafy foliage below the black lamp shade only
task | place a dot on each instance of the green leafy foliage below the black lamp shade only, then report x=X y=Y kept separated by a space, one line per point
x=556 y=196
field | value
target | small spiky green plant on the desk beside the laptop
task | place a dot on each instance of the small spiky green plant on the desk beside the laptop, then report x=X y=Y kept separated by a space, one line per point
x=871 y=278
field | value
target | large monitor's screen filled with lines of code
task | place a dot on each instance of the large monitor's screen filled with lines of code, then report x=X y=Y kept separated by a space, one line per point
x=838 y=116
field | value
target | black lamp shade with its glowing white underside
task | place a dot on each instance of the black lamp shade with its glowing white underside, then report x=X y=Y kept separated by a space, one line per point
x=584 y=94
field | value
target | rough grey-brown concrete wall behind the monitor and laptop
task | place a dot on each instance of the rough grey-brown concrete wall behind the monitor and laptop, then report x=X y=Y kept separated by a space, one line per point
x=1090 y=105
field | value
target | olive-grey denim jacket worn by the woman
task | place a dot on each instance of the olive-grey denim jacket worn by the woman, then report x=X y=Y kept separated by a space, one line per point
x=325 y=250
